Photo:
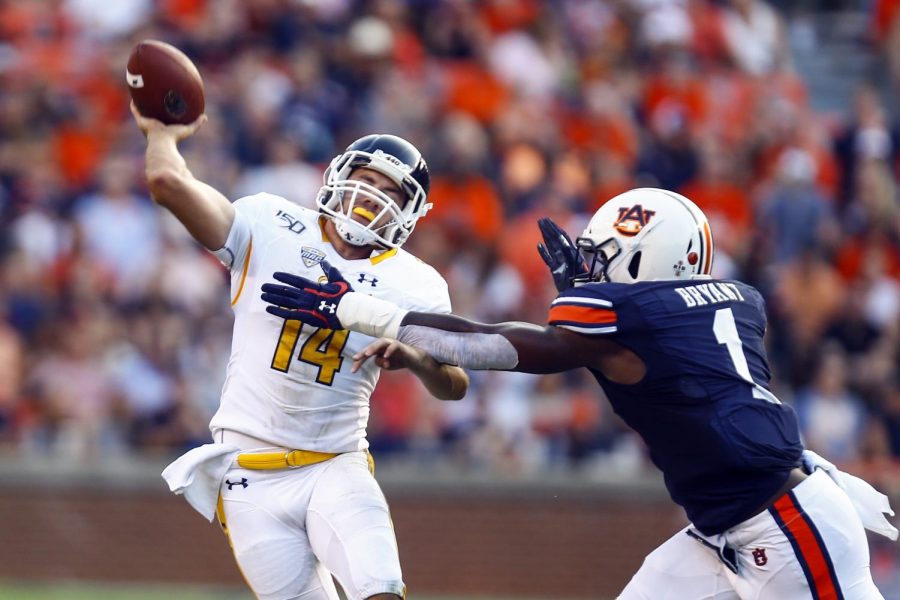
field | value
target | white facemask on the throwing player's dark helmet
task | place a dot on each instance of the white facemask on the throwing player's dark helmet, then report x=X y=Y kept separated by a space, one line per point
x=391 y=222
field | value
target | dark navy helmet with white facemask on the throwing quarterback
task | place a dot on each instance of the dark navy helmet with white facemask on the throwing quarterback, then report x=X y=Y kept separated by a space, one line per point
x=391 y=223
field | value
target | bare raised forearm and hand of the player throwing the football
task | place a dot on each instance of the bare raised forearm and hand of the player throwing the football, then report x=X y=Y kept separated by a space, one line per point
x=203 y=210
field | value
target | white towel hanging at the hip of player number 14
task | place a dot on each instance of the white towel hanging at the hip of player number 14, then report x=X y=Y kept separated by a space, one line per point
x=198 y=474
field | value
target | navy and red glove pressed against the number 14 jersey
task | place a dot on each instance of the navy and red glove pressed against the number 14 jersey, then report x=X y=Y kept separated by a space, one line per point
x=305 y=300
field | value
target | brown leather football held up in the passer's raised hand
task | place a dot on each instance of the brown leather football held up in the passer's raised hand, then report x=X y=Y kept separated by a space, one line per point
x=164 y=83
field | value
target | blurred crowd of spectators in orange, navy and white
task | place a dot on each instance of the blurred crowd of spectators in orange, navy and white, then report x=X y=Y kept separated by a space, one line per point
x=115 y=326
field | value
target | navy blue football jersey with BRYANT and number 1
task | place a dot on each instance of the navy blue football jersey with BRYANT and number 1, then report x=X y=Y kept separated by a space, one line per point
x=724 y=442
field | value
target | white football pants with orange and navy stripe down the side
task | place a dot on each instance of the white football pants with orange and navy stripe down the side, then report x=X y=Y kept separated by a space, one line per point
x=810 y=545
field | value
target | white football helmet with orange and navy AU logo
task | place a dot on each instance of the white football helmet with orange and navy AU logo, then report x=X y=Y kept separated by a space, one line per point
x=646 y=234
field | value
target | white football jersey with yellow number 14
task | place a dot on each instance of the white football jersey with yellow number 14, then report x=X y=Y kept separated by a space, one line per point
x=288 y=383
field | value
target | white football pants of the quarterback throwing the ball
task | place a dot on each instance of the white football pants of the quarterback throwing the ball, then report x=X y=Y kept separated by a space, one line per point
x=290 y=529
